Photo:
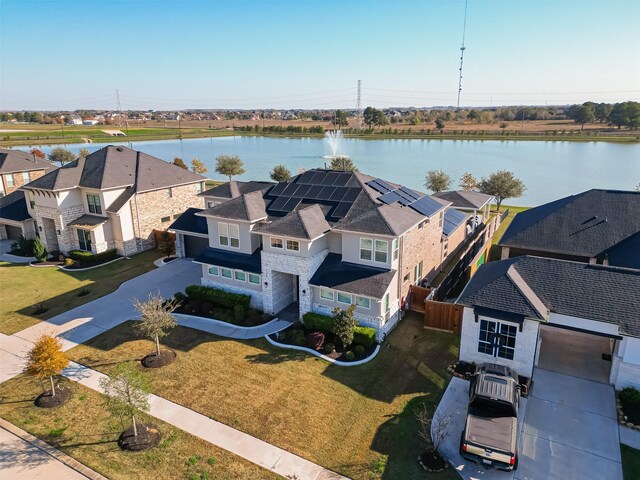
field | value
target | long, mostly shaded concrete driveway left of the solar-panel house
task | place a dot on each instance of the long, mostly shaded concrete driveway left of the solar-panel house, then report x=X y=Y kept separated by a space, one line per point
x=91 y=319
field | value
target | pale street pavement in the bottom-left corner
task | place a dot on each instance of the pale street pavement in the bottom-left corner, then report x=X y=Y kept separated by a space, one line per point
x=24 y=457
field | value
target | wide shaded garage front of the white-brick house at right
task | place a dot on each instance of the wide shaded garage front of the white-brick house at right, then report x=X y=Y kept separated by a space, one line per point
x=576 y=352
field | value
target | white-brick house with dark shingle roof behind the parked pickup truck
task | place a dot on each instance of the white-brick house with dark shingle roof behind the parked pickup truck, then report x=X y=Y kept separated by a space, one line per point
x=566 y=316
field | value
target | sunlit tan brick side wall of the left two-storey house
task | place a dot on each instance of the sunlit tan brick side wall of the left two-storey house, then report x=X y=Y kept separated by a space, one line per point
x=152 y=206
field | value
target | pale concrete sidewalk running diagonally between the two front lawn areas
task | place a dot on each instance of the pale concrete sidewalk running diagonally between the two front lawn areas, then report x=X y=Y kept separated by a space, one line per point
x=244 y=445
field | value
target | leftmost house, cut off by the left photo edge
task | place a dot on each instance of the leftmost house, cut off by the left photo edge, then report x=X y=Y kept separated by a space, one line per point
x=17 y=168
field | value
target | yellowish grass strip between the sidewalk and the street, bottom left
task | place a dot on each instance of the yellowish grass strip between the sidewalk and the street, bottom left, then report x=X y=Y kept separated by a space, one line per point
x=83 y=429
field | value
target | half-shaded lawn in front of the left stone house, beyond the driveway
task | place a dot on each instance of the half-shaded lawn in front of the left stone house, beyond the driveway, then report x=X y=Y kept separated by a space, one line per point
x=24 y=286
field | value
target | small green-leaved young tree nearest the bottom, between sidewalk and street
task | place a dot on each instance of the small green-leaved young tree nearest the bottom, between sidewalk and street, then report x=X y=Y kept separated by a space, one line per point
x=127 y=391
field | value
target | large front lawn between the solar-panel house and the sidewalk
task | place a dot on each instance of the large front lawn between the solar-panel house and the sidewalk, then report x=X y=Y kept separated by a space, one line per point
x=358 y=421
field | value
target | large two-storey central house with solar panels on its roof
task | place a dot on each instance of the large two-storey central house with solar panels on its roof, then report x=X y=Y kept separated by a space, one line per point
x=324 y=239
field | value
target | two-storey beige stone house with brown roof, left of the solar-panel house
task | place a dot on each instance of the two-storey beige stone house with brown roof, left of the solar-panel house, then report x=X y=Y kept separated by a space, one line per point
x=113 y=198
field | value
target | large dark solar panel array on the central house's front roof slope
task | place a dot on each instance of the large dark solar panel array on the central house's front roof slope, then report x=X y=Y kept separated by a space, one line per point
x=318 y=186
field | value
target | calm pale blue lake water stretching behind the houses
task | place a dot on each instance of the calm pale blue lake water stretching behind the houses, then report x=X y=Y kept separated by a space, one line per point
x=550 y=170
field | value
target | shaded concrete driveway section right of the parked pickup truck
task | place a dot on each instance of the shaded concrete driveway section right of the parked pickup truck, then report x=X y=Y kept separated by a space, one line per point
x=570 y=430
